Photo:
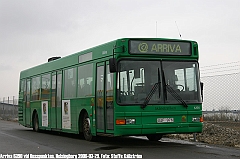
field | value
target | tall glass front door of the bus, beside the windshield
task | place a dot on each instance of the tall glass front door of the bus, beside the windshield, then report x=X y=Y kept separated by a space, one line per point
x=104 y=99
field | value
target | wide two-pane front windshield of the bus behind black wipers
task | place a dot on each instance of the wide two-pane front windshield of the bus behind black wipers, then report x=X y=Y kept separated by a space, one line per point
x=136 y=80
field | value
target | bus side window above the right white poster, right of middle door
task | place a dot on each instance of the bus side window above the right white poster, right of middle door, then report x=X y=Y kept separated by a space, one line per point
x=70 y=83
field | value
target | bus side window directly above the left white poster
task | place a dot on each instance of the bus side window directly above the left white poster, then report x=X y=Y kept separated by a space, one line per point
x=45 y=91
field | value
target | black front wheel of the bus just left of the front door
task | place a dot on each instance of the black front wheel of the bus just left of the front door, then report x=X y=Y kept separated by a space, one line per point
x=86 y=128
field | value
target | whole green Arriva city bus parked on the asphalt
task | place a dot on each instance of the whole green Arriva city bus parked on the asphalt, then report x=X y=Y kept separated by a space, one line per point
x=127 y=87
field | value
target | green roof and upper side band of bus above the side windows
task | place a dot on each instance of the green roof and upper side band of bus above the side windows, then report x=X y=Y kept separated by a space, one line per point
x=100 y=51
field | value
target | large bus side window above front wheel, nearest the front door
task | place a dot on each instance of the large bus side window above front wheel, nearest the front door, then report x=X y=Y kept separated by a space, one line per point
x=85 y=80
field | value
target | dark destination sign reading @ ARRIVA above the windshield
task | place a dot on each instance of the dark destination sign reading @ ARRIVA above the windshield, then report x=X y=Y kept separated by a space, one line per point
x=160 y=47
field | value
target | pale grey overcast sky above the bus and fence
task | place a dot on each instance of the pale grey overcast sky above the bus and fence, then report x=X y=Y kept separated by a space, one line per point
x=31 y=31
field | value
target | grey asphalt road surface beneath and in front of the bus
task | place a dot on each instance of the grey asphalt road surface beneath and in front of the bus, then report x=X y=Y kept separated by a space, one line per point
x=18 y=141
